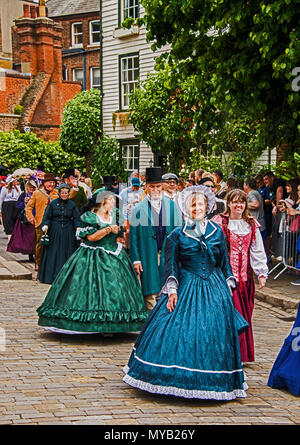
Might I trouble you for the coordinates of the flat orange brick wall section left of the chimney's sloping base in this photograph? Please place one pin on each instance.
(12, 89)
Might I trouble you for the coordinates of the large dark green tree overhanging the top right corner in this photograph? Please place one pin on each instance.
(243, 54)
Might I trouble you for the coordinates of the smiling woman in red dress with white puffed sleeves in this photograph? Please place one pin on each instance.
(247, 255)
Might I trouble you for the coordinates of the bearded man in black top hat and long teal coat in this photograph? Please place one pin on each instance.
(151, 221)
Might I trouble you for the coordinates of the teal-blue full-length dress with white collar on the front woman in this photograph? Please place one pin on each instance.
(194, 351)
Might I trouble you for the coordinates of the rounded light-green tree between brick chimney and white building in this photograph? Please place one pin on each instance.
(81, 125)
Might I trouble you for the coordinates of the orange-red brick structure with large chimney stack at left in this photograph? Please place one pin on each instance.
(38, 85)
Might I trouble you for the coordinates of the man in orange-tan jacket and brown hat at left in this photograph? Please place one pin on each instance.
(36, 207)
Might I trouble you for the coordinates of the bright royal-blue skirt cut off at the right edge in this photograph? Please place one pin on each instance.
(286, 369)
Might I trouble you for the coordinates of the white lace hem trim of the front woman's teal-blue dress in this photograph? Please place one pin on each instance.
(186, 393)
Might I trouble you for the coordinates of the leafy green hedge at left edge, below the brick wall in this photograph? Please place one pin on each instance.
(28, 150)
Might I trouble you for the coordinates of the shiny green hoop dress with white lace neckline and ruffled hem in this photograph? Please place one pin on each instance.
(97, 289)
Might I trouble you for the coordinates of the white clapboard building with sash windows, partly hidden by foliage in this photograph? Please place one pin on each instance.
(126, 57)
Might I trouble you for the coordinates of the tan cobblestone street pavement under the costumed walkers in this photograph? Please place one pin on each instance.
(49, 378)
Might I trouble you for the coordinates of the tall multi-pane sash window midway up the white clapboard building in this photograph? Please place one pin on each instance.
(129, 73)
